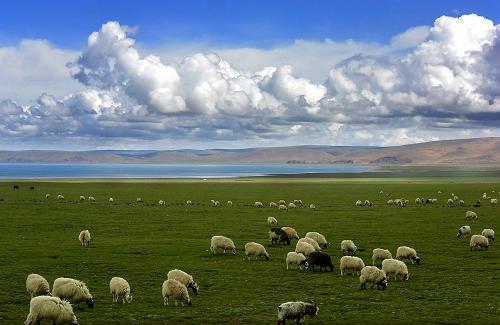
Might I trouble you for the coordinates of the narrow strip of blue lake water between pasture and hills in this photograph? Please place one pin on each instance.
(166, 171)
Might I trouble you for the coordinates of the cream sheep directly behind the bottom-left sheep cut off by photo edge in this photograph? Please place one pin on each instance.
(73, 290)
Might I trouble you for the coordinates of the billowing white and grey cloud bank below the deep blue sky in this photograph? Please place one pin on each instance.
(429, 83)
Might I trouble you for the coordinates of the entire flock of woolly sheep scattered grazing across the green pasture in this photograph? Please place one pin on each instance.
(56, 305)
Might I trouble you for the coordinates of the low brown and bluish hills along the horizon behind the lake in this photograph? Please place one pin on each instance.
(449, 152)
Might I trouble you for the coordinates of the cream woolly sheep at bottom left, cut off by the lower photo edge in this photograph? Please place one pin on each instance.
(50, 308)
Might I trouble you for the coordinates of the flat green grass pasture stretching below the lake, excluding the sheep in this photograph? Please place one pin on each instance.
(143, 242)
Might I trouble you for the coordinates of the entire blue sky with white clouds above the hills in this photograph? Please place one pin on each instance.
(78, 75)
